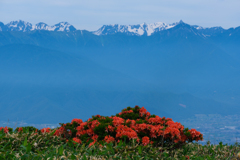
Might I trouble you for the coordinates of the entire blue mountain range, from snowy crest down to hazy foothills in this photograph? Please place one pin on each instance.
(175, 70)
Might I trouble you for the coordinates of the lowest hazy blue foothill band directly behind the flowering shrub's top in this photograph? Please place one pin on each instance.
(40, 104)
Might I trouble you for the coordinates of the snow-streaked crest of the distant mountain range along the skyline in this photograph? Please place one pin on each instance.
(139, 29)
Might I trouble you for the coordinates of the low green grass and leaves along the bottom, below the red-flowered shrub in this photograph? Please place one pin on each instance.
(46, 146)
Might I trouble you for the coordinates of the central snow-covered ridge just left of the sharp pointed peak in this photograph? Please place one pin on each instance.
(139, 29)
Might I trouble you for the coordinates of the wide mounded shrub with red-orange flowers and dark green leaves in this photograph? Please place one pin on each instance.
(130, 124)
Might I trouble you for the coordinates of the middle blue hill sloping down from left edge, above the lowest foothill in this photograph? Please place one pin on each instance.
(33, 65)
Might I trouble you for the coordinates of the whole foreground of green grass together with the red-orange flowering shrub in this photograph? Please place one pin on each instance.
(132, 134)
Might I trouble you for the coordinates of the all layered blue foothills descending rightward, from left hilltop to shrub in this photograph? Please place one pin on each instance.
(38, 82)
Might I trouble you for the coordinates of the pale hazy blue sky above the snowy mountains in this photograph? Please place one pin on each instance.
(92, 14)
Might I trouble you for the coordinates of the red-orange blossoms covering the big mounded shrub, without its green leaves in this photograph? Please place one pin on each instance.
(153, 128)
